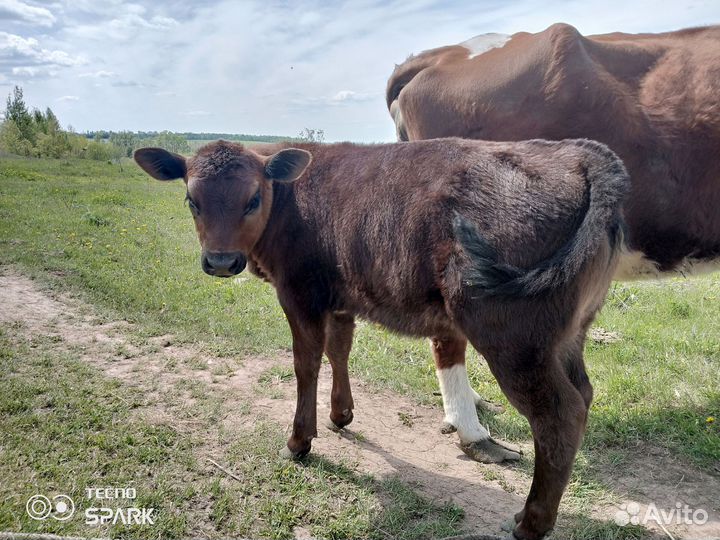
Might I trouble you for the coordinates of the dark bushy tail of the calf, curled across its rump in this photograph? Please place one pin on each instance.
(607, 182)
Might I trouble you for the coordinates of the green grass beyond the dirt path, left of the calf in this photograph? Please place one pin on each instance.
(128, 243)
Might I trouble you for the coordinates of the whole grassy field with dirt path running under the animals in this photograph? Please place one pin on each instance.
(124, 365)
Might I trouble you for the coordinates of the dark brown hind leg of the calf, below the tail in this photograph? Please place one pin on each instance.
(539, 386)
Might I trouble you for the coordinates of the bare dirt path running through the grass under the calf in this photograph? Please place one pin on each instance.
(391, 435)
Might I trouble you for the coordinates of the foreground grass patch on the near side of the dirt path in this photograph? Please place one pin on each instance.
(67, 427)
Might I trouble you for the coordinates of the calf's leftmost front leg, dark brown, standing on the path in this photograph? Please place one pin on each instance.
(308, 342)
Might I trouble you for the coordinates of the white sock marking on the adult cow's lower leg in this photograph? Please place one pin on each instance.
(459, 403)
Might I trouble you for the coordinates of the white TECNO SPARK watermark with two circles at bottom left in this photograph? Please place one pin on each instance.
(99, 511)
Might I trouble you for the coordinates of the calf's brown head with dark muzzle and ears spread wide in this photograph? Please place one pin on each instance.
(229, 192)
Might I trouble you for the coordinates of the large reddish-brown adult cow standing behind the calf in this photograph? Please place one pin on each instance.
(652, 98)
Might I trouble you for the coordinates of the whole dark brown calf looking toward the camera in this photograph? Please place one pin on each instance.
(448, 239)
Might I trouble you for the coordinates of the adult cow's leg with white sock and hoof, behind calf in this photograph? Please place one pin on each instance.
(459, 403)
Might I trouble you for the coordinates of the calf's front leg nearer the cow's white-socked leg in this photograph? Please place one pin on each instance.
(338, 342)
